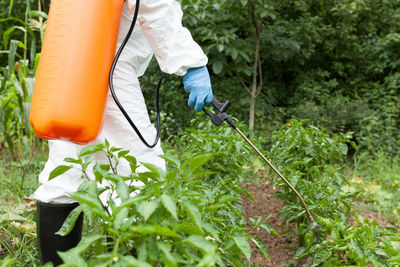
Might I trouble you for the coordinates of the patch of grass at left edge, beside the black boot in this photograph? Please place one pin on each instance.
(18, 181)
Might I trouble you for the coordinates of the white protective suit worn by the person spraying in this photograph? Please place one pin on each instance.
(158, 30)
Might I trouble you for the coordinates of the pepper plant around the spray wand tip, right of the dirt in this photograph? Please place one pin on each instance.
(309, 158)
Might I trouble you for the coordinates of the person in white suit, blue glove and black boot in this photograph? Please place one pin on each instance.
(159, 30)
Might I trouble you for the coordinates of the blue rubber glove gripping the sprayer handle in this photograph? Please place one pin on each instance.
(198, 84)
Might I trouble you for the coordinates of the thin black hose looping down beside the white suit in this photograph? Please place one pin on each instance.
(110, 80)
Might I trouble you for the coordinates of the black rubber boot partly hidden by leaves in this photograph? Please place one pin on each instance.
(50, 218)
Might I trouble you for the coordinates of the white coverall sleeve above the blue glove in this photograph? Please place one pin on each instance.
(172, 44)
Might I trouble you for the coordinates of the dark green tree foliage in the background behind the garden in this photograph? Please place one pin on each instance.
(333, 62)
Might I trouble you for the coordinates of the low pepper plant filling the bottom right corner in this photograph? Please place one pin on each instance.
(356, 245)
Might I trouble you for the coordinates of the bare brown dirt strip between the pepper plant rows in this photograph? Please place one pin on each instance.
(278, 247)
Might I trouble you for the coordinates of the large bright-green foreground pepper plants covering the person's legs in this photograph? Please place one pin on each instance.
(176, 217)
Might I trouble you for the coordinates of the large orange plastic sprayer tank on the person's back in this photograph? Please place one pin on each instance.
(72, 79)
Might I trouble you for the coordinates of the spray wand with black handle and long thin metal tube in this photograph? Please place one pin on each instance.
(221, 116)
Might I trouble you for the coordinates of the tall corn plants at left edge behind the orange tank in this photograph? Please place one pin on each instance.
(16, 85)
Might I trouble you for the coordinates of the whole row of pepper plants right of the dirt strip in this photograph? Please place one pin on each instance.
(309, 157)
